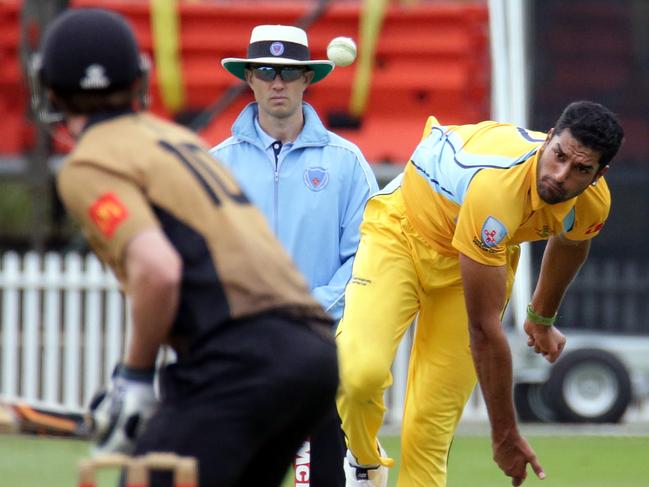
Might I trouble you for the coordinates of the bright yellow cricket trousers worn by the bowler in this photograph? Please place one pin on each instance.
(396, 277)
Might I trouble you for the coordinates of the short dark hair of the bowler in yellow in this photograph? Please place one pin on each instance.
(594, 126)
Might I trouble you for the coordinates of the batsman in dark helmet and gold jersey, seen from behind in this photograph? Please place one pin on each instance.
(201, 268)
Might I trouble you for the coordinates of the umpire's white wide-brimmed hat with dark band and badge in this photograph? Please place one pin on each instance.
(284, 45)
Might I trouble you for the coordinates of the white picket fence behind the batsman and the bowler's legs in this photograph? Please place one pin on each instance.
(63, 328)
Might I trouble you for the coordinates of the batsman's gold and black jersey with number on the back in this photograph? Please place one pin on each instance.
(135, 171)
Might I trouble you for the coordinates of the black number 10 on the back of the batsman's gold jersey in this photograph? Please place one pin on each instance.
(206, 170)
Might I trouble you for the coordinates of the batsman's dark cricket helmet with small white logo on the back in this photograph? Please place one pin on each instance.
(87, 50)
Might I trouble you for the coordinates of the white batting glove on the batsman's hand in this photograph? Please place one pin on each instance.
(120, 413)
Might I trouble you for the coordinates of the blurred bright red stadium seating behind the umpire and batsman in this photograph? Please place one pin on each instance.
(431, 58)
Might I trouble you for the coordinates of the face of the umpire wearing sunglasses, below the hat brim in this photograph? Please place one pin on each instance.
(278, 98)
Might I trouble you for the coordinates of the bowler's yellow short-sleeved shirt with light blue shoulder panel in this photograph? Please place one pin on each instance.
(472, 189)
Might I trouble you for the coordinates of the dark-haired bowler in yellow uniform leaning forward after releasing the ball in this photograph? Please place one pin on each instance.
(440, 244)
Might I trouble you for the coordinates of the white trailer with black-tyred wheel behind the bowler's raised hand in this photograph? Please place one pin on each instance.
(596, 379)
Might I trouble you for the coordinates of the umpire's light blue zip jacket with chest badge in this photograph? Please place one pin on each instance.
(313, 198)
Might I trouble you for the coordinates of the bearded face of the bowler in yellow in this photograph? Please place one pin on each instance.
(565, 168)
